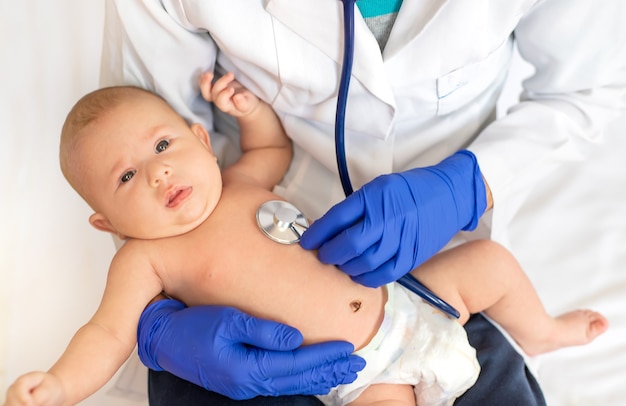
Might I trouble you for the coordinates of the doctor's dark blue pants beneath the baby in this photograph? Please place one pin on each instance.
(504, 379)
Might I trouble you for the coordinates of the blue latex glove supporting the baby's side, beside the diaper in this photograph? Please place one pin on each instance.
(237, 355)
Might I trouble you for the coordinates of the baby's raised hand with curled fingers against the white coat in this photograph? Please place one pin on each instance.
(228, 94)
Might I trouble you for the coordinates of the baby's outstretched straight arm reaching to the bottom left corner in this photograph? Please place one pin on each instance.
(99, 348)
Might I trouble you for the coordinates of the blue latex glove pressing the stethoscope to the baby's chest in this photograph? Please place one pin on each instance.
(398, 221)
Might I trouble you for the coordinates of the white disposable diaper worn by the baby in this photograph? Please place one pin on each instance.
(415, 345)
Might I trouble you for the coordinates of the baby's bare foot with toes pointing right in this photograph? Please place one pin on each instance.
(574, 328)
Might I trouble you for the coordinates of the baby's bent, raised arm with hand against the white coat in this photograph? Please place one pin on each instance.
(266, 148)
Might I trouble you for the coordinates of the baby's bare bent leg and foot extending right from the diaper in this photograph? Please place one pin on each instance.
(481, 276)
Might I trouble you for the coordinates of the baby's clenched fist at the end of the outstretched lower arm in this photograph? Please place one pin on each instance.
(35, 388)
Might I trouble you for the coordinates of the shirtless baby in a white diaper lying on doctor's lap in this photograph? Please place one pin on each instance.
(191, 232)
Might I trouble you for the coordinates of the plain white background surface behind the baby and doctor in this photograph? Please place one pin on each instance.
(53, 264)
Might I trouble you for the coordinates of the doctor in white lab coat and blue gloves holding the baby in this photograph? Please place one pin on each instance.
(425, 81)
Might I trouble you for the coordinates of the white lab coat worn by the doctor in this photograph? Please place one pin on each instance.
(431, 92)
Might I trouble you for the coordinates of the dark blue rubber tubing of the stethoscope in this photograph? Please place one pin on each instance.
(408, 281)
